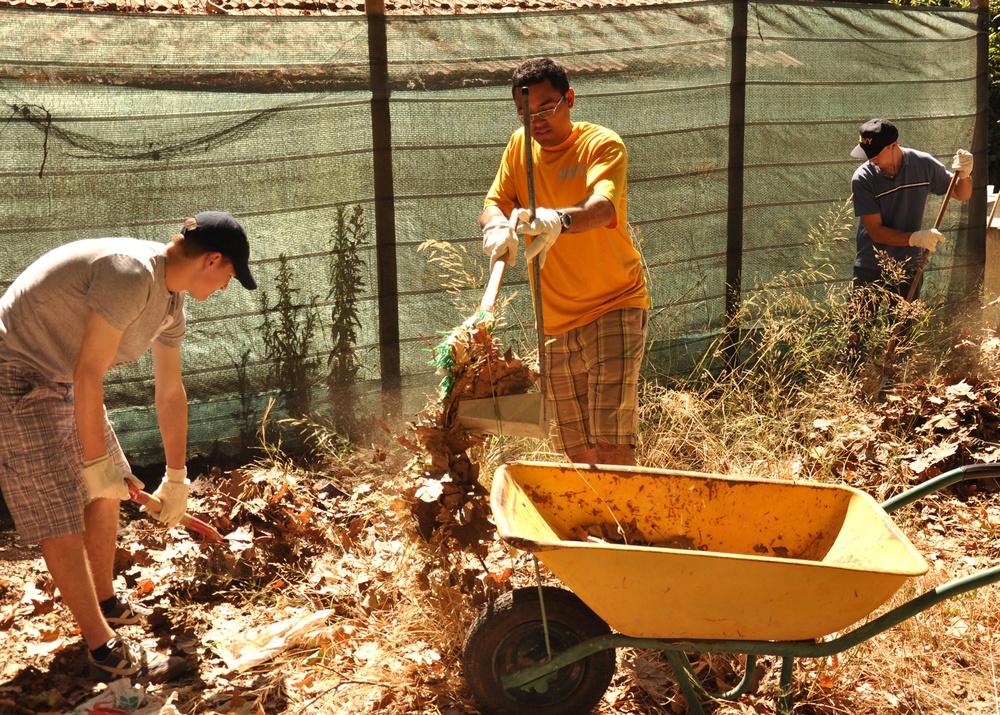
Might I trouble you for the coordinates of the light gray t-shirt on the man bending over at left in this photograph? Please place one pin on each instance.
(45, 310)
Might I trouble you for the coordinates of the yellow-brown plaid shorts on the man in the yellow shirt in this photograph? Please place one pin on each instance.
(593, 380)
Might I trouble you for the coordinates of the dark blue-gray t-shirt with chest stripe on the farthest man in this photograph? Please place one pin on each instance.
(900, 201)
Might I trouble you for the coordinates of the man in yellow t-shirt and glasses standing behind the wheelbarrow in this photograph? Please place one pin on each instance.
(594, 299)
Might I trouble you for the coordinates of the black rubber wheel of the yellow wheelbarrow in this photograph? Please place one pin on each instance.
(508, 636)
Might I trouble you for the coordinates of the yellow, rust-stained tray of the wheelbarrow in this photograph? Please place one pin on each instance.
(719, 557)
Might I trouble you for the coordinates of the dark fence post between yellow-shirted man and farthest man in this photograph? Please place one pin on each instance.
(737, 138)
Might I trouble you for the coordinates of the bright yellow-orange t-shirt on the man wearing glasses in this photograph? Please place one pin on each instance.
(586, 274)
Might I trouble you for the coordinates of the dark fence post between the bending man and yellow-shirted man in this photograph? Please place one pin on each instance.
(385, 214)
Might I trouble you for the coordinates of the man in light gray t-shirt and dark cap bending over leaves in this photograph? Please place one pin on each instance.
(75, 313)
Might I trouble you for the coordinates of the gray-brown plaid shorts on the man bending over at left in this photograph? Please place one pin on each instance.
(41, 455)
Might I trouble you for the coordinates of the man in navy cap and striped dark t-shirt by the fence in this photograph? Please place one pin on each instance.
(890, 194)
